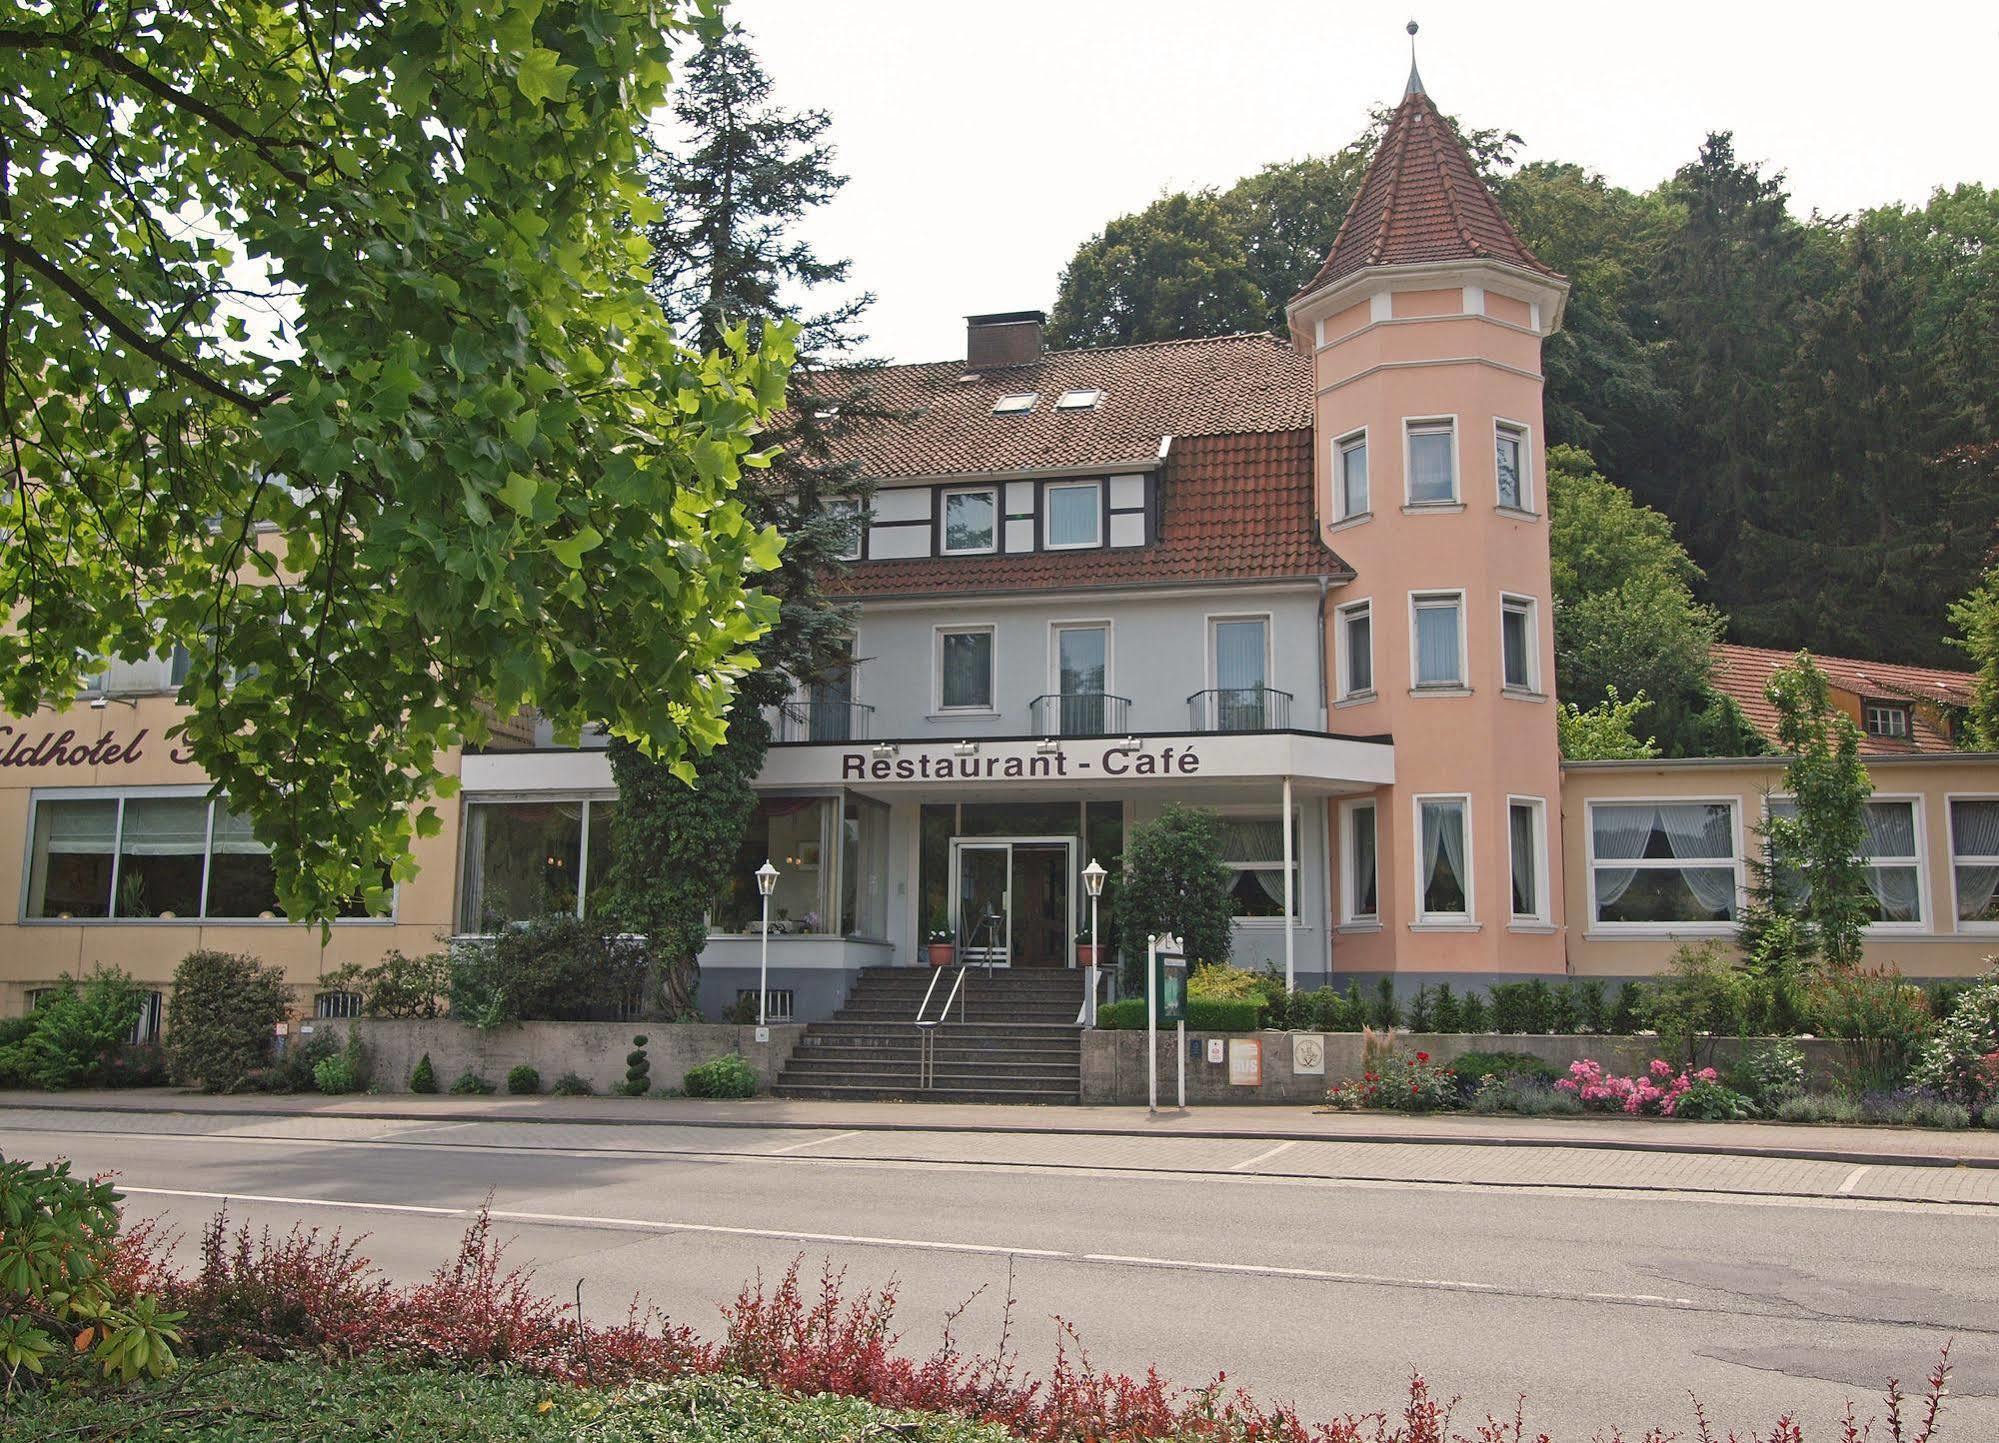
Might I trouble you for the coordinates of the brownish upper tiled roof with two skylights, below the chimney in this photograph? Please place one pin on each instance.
(1206, 387)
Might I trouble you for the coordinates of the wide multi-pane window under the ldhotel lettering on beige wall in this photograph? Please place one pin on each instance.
(149, 856)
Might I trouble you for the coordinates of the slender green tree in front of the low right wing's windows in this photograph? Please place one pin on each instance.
(1824, 838)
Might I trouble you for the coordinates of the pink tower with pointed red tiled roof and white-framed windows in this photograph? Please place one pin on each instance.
(1426, 331)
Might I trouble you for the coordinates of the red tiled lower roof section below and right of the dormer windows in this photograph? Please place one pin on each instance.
(1234, 509)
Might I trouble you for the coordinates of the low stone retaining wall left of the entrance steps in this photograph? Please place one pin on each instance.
(595, 1050)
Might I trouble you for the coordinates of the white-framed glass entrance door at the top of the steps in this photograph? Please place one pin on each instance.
(1014, 900)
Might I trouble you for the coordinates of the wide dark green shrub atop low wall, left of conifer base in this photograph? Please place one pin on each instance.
(559, 968)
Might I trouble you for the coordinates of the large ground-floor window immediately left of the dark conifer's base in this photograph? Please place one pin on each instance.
(535, 858)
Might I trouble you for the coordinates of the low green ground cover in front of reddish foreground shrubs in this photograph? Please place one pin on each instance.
(251, 1402)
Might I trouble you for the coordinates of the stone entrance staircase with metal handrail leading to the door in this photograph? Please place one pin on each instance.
(1010, 1038)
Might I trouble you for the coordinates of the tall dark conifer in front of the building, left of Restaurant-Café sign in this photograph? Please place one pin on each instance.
(727, 251)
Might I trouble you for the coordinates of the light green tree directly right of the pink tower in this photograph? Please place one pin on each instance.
(1626, 619)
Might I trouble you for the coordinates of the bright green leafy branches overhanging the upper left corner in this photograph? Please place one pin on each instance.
(327, 351)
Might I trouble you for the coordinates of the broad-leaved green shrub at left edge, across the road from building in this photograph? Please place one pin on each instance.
(61, 1314)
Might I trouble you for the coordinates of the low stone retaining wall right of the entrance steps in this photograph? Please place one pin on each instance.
(1114, 1062)
